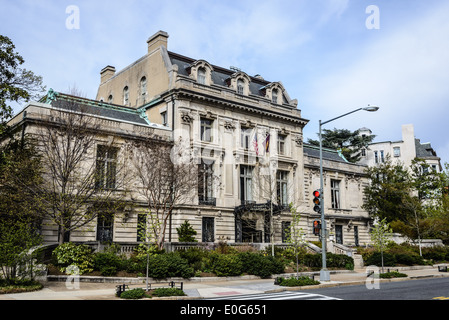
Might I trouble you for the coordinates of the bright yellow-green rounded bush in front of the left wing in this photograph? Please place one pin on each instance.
(68, 254)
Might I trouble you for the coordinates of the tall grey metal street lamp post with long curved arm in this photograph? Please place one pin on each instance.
(324, 273)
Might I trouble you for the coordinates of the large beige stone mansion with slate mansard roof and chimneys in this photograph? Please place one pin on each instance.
(242, 128)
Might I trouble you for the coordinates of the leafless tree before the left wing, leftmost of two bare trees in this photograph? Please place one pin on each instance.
(82, 178)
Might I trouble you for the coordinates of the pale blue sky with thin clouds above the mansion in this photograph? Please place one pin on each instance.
(321, 50)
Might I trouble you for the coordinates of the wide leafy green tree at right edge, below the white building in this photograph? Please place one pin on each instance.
(411, 200)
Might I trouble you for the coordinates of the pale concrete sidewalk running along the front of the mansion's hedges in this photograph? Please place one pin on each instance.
(199, 288)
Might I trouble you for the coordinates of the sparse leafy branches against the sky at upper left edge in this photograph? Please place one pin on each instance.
(16, 84)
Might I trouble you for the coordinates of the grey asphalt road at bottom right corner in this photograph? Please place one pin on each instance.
(425, 289)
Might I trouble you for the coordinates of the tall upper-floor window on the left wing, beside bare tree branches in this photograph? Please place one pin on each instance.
(106, 167)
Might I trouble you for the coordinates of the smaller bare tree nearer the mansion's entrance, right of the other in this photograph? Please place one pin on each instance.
(166, 176)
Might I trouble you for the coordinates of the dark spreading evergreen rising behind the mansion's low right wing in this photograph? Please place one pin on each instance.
(350, 143)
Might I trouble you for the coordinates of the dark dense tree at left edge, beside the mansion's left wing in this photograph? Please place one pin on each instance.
(19, 208)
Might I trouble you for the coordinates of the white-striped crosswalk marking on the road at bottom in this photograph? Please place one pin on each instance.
(284, 295)
